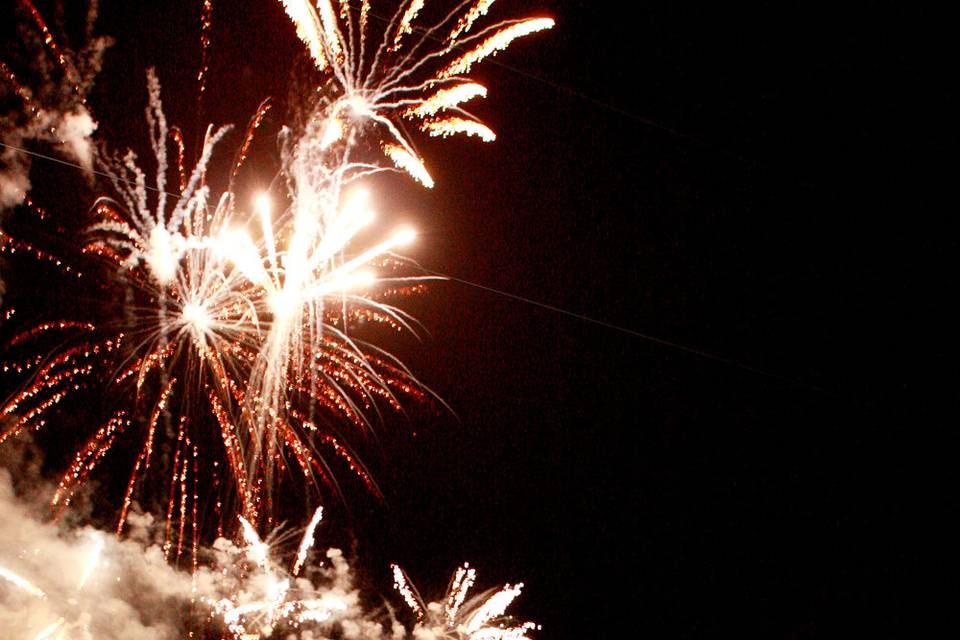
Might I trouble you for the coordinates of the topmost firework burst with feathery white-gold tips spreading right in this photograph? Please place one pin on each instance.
(412, 73)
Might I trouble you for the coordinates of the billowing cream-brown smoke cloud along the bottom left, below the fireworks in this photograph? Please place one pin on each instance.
(133, 593)
